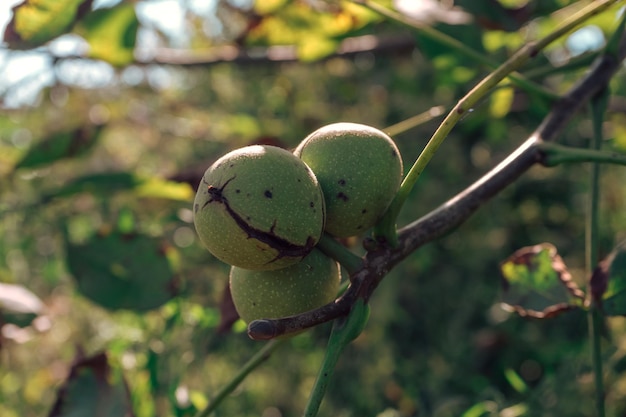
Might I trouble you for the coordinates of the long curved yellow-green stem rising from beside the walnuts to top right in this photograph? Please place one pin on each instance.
(387, 226)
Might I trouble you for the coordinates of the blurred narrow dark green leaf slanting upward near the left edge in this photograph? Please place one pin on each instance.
(61, 145)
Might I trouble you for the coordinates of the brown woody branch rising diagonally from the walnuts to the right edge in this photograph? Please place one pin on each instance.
(377, 263)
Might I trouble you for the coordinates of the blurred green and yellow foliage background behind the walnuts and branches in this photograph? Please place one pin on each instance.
(110, 113)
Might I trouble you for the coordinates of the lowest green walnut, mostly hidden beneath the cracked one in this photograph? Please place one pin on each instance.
(311, 283)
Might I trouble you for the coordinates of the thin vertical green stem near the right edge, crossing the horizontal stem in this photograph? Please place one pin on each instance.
(595, 319)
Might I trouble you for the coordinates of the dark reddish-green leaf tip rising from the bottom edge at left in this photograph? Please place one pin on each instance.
(93, 388)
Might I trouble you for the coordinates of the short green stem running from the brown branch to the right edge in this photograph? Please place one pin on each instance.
(555, 154)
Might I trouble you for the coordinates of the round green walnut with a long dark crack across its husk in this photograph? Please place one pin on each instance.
(259, 207)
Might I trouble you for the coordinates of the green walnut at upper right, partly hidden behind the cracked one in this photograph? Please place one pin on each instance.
(359, 169)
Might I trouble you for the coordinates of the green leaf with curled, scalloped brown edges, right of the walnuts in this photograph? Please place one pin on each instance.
(537, 283)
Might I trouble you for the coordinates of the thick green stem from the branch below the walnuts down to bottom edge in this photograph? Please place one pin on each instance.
(345, 330)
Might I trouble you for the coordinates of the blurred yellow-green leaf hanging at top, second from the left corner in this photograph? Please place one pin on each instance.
(111, 34)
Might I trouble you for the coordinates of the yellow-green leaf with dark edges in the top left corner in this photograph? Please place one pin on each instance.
(36, 22)
